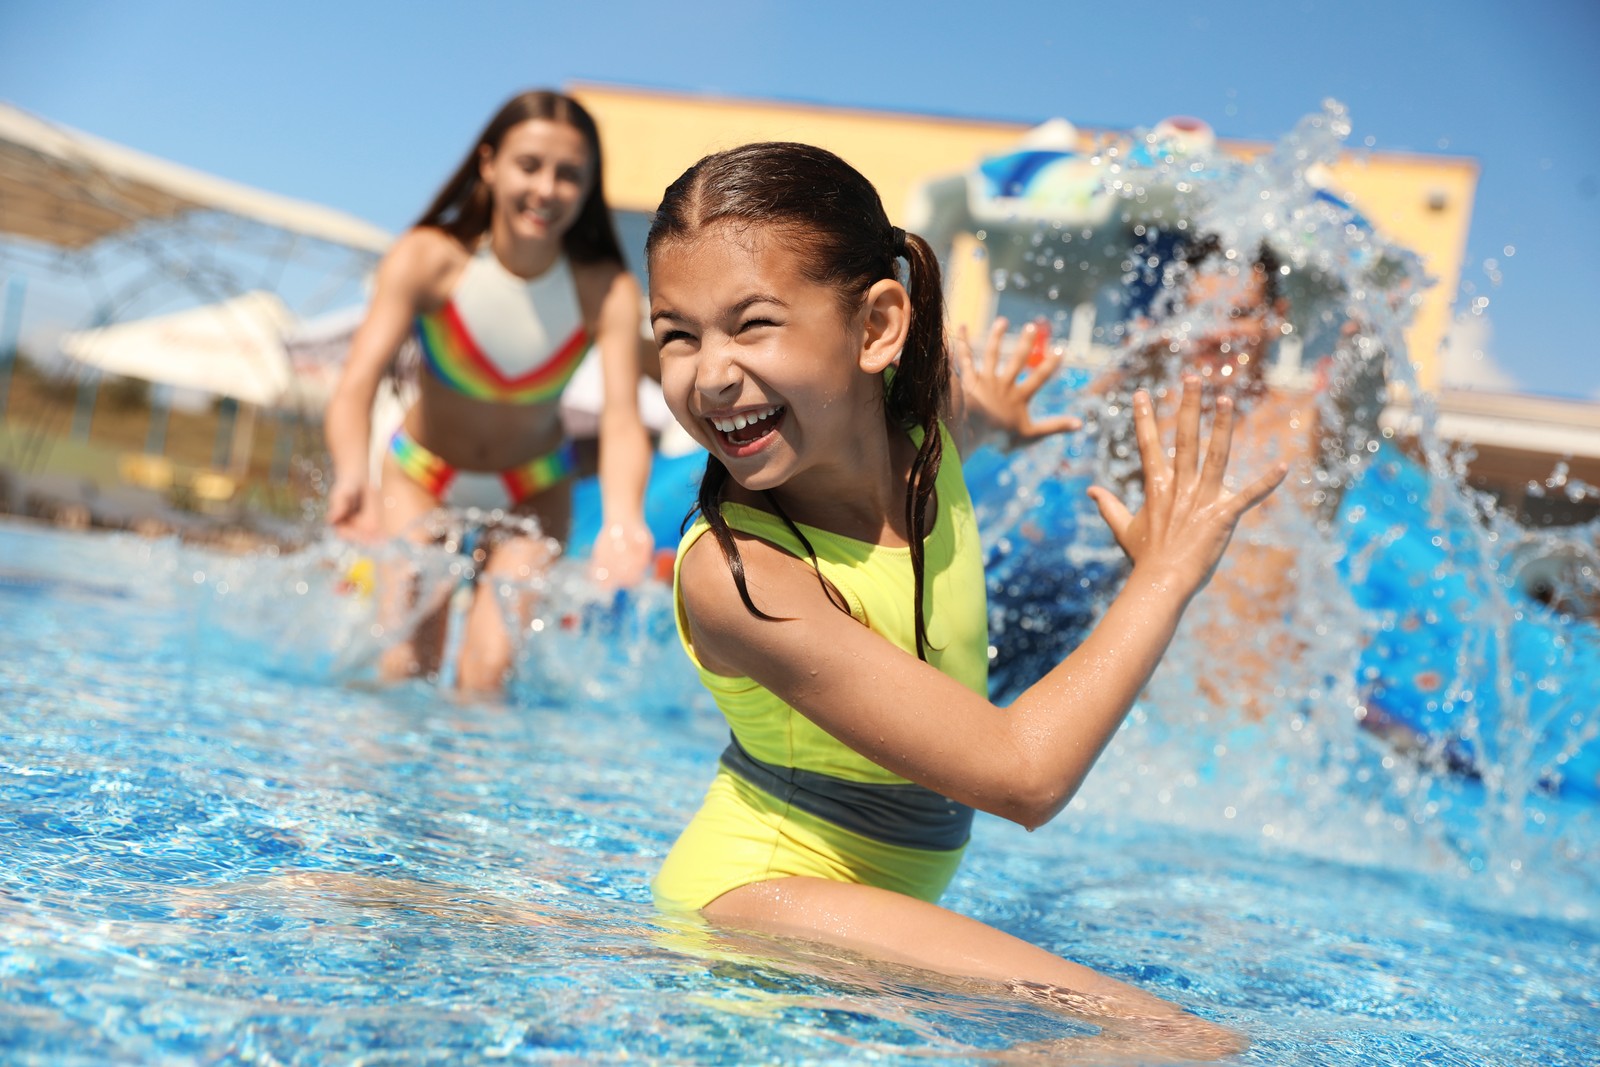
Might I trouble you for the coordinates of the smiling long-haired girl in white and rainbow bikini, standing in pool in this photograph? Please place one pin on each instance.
(510, 278)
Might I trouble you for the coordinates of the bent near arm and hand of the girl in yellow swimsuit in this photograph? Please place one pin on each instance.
(1023, 762)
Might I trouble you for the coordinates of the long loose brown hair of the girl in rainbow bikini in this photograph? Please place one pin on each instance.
(463, 207)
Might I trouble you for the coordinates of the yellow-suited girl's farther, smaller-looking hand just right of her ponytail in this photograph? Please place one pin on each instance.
(994, 398)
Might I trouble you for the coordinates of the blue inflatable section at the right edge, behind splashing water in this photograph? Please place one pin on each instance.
(1460, 669)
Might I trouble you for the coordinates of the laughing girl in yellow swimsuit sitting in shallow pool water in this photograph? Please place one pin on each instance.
(836, 610)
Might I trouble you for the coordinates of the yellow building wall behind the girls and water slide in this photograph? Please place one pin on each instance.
(1420, 202)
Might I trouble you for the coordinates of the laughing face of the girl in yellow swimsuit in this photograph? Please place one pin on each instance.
(758, 362)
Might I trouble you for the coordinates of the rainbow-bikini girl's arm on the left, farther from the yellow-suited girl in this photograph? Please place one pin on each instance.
(406, 276)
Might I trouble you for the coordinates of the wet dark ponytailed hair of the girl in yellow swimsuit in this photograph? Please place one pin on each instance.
(833, 217)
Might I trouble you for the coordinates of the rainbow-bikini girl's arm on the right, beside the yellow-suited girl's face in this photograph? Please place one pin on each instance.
(625, 546)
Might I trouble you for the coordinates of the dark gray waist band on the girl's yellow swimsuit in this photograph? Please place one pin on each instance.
(905, 815)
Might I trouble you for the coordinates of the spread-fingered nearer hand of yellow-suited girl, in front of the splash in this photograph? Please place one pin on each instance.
(1188, 516)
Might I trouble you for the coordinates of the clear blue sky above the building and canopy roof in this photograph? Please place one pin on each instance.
(366, 106)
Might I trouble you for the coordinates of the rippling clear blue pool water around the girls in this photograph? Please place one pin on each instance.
(222, 849)
